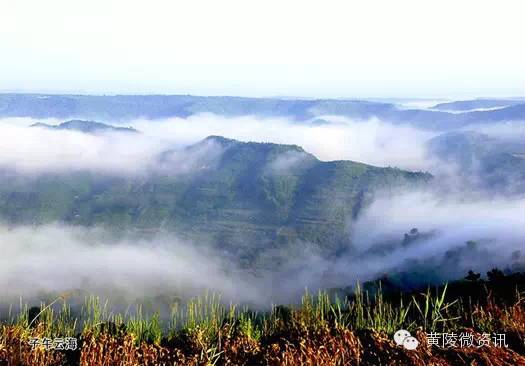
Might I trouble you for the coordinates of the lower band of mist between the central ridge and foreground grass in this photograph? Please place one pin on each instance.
(56, 258)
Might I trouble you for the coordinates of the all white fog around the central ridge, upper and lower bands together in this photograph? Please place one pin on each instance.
(56, 258)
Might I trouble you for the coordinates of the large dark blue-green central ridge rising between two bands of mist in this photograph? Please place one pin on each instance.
(247, 198)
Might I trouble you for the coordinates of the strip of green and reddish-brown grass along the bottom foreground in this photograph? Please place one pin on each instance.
(320, 331)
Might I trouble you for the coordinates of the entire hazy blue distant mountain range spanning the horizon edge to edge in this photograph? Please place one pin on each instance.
(121, 108)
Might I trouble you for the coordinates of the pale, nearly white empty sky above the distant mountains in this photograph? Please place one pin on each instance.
(403, 48)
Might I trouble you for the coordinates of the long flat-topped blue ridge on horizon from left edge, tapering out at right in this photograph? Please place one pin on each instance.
(125, 107)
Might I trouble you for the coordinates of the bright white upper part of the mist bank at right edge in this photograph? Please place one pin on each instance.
(467, 219)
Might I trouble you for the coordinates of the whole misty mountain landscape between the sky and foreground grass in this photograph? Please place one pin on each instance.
(254, 198)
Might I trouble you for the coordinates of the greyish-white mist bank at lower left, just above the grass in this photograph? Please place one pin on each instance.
(56, 259)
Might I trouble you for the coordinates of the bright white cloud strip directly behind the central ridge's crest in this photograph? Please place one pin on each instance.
(373, 141)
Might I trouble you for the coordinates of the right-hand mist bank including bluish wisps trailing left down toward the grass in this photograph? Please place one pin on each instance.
(454, 236)
